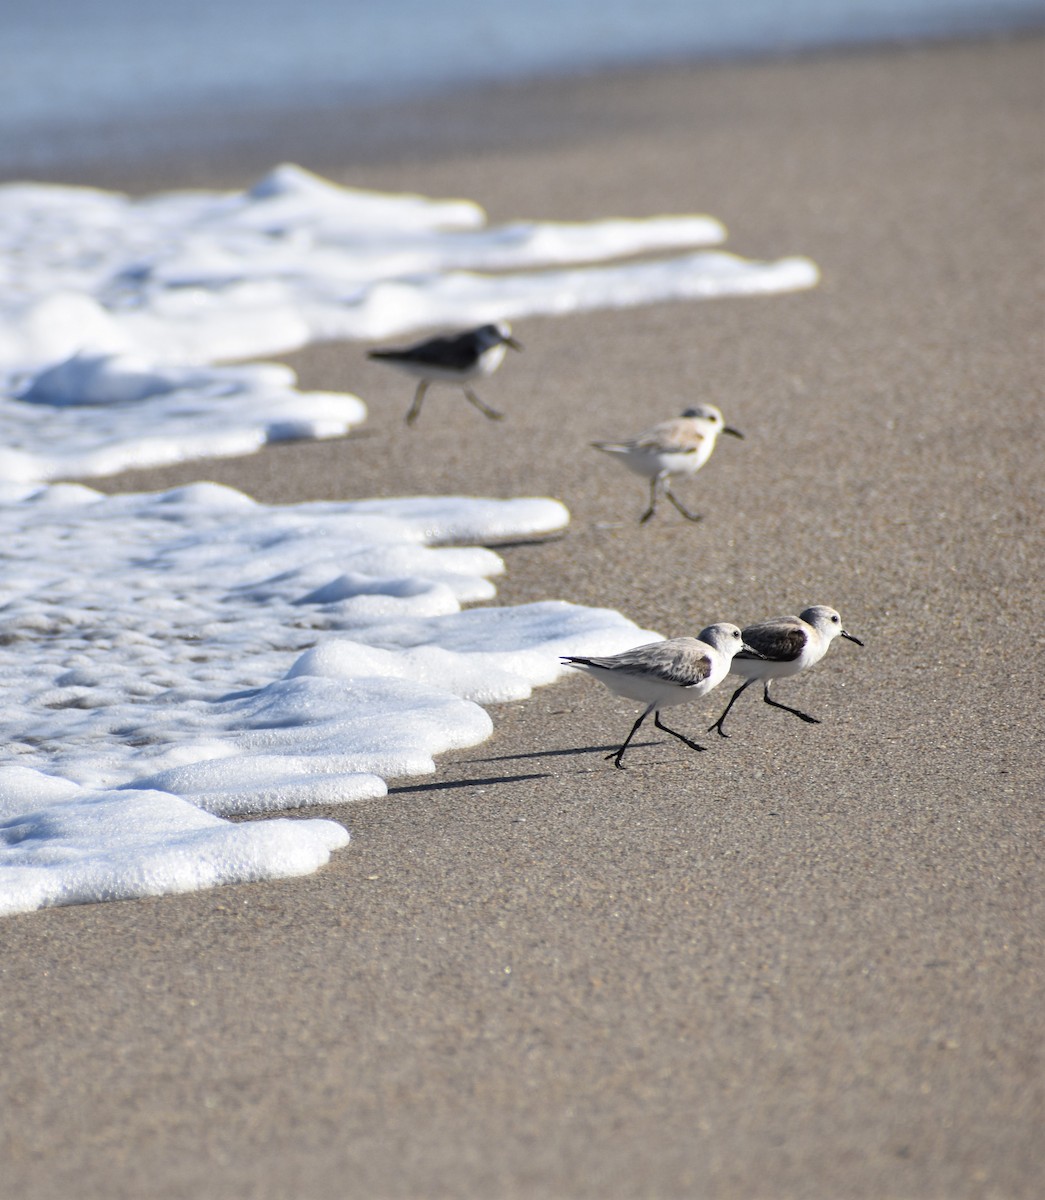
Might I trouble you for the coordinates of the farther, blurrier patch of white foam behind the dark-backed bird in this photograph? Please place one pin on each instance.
(115, 311)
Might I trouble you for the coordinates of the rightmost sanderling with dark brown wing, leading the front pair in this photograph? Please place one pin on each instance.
(786, 646)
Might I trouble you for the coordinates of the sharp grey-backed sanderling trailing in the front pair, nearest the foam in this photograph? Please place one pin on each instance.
(666, 674)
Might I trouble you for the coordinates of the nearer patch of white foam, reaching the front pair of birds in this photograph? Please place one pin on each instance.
(172, 659)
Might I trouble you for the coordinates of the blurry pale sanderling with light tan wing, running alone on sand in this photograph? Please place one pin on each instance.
(680, 447)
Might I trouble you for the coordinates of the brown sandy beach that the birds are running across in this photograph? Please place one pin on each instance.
(808, 963)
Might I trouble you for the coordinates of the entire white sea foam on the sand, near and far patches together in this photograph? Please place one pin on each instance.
(169, 662)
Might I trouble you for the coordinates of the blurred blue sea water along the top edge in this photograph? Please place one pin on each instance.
(69, 69)
